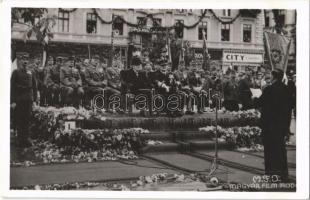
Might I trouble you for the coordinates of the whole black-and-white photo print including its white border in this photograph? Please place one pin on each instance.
(154, 99)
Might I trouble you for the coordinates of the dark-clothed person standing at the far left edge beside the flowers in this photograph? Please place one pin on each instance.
(23, 95)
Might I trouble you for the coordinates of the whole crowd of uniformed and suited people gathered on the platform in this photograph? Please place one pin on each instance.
(71, 82)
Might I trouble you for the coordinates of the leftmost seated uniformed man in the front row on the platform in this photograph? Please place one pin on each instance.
(52, 81)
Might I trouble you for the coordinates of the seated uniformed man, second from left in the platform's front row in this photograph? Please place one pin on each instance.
(71, 84)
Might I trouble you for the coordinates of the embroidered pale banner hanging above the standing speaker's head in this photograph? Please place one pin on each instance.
(277, 47)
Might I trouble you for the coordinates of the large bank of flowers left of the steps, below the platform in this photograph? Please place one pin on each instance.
(81, 145)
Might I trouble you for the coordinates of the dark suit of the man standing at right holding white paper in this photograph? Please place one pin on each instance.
(275, 116)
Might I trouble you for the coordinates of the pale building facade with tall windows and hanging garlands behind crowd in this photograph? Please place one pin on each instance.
(233, 39)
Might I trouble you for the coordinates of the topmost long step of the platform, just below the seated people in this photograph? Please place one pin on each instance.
(187, 122)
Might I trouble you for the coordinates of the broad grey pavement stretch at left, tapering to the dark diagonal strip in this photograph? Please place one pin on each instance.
(80, 172)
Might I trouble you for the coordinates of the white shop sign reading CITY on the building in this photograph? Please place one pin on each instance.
(242, 57)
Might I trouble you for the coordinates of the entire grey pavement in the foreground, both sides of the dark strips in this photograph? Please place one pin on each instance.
(121, 171)
